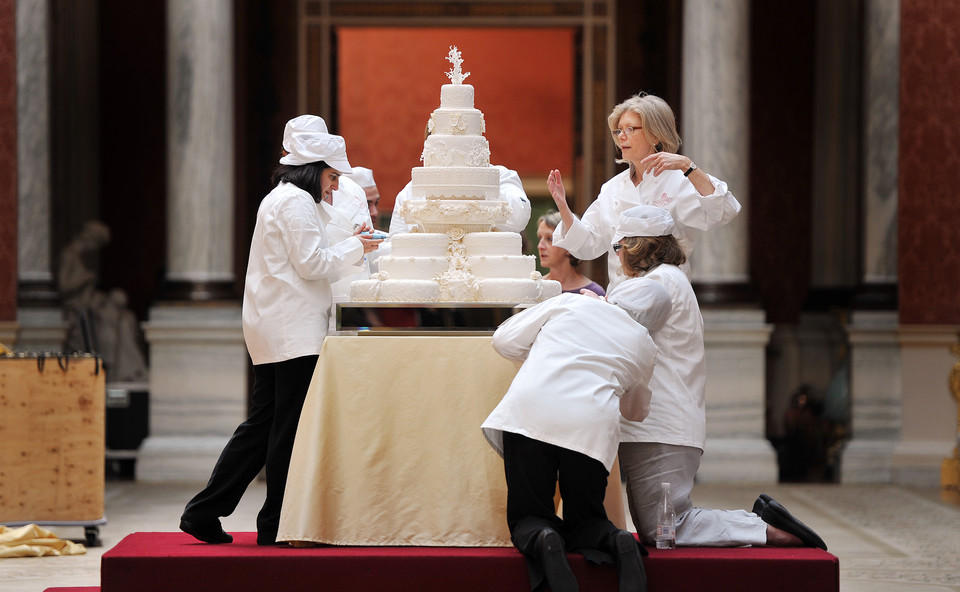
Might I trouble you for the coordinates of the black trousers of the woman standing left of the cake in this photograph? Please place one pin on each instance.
(264, 439)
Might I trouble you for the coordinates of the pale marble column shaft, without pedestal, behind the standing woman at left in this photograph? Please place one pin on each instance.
(200, 147)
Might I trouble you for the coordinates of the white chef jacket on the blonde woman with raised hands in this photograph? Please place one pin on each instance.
(592, 235)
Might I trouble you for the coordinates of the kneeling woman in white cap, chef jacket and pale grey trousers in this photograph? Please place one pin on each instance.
(668, 444)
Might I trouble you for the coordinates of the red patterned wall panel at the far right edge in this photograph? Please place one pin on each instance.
(929, 206)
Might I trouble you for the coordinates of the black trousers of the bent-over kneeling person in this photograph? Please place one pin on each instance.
(532, 469)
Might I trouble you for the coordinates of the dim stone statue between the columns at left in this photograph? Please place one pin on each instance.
(99, 321)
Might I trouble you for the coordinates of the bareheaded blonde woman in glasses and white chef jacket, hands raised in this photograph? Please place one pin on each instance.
(644, 131)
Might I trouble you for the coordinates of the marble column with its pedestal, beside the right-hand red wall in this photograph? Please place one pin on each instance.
(876, 381)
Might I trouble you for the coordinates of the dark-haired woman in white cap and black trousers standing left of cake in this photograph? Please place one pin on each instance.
(286, 303)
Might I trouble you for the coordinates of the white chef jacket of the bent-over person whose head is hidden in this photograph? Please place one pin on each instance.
(584, 362)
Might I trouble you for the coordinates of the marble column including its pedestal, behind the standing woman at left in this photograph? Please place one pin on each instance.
(198, 362)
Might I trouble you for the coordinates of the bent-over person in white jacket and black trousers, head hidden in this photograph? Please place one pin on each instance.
(585, 362)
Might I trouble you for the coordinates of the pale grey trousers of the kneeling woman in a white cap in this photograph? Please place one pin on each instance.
(645, 465)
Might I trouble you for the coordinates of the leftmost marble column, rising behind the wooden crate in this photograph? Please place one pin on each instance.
(41, 321)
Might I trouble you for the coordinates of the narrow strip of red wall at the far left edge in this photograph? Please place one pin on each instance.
(8, 160)
